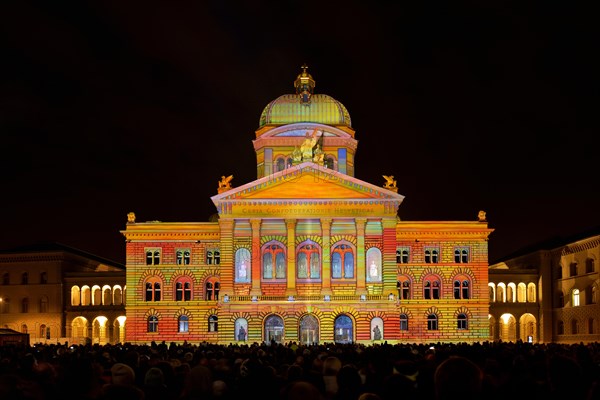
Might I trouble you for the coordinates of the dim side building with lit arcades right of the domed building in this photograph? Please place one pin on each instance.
(548, 292)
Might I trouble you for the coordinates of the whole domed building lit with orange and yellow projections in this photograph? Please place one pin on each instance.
(307, 252)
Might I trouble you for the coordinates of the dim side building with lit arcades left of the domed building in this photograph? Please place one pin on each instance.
(56, 293)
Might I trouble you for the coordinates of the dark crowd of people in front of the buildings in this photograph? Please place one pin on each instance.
(439, 371)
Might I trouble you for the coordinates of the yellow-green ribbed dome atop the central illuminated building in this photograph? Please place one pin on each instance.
(289, 109)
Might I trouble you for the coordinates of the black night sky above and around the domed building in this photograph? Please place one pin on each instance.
(116, 106)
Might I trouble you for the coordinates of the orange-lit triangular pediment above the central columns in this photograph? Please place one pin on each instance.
(307, 190)
